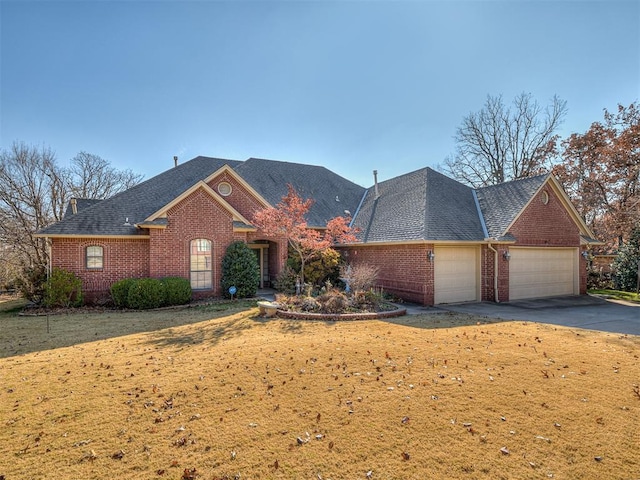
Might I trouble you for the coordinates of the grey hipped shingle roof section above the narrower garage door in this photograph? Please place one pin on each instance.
(421, 205)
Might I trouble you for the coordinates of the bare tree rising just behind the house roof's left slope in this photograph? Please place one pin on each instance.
(91, 176)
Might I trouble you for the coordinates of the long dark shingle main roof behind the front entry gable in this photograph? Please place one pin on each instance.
(119, 214)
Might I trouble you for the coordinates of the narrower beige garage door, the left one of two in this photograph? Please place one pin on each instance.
(456, 274)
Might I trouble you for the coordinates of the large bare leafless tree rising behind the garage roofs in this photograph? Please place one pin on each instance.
(499, 144)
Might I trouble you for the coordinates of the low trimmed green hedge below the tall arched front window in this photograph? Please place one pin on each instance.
(146, 293)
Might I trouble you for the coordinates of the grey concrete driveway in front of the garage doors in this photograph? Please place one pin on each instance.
(583, 311)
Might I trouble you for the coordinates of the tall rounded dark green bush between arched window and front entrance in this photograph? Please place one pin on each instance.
(240, 269)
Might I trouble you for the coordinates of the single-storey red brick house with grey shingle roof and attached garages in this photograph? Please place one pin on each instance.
(434, 239)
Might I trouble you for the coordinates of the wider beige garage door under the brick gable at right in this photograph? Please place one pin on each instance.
(542, 272)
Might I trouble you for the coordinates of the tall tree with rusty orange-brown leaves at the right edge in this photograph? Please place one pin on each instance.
(601, 174)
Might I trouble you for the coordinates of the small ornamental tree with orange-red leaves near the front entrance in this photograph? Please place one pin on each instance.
(288, 219)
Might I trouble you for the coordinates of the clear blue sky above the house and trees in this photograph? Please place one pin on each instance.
(349, 85)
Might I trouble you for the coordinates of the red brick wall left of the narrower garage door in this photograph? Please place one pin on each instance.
(404, 269)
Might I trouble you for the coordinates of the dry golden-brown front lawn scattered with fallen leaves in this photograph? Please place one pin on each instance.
(241, 397)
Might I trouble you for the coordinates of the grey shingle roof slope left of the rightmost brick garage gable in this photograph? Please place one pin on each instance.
(500, 204)
